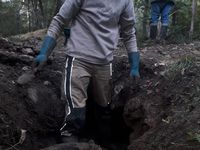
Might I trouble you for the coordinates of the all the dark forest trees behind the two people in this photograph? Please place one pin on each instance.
(21, 16)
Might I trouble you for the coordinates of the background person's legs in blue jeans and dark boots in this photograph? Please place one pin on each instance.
(160, 9)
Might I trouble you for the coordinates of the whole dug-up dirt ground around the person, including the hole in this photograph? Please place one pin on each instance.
(160, 112)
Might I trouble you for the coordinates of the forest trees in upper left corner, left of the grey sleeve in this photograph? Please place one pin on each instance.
(21, 16)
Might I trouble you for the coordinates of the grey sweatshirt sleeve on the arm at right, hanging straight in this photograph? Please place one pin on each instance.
(127, 23)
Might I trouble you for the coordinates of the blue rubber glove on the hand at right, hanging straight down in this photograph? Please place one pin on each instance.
(134, 58)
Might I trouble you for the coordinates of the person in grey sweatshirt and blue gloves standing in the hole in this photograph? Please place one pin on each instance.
(94, 34)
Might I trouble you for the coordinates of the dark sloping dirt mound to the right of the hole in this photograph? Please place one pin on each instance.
(172, 114)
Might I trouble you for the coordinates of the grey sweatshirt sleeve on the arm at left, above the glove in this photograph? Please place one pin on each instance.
(67, 12)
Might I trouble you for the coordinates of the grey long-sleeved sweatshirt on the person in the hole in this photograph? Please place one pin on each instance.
(95, 28)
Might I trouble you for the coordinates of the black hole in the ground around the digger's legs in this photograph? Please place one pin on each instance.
(117, 135)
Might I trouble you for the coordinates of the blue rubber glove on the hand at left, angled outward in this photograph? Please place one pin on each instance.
(48, 45)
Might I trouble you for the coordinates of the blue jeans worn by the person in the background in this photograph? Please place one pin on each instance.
(160, 9)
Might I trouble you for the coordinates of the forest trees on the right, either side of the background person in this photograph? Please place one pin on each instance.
(184, 25)
